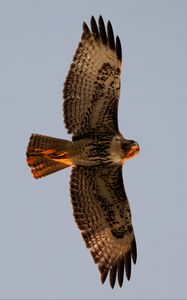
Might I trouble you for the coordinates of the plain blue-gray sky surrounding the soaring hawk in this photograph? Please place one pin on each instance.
(42, 254)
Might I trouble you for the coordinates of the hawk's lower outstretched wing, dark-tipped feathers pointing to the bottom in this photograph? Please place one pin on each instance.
(102, 213)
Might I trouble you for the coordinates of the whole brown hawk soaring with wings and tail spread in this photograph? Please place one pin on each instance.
(96, 153)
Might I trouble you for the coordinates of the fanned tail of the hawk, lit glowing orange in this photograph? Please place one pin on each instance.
(46, 155)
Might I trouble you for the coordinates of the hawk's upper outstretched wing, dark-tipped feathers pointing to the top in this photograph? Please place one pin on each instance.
(92, 87)
